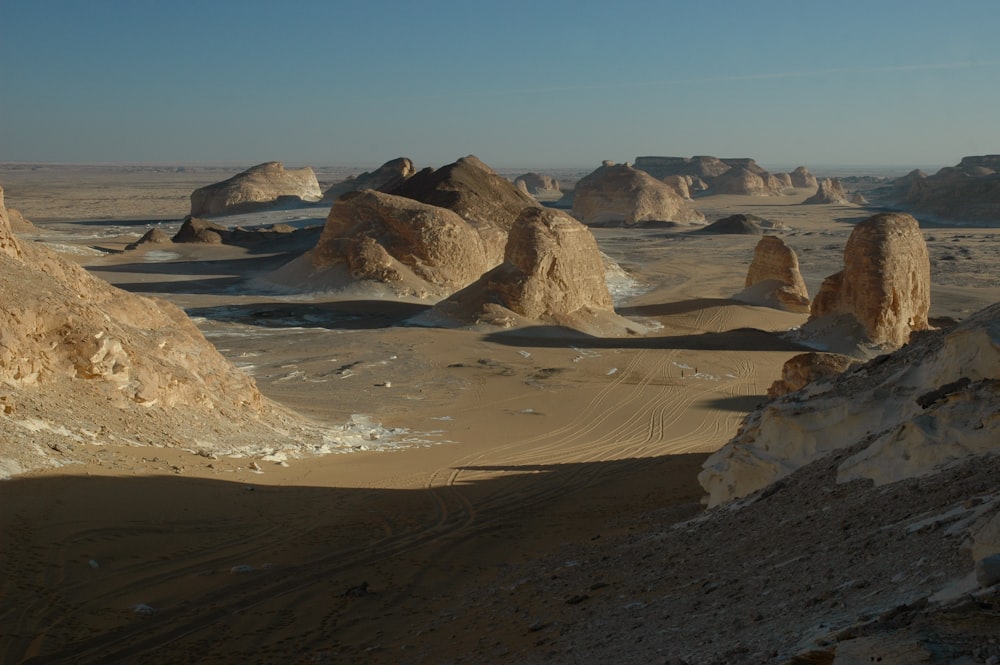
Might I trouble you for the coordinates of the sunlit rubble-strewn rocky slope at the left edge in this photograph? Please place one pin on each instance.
(83, 362)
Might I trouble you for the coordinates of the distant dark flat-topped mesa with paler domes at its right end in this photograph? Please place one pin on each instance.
(741, 176)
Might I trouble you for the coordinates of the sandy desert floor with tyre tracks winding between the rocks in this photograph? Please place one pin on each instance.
(504, 446)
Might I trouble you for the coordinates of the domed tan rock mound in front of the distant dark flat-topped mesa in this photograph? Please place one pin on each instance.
(620, 194)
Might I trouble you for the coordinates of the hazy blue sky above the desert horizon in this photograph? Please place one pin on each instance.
(543, 83)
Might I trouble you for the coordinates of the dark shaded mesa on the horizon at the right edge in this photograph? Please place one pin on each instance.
(969, 191)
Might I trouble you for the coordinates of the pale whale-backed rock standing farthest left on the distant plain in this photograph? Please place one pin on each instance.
(257, 188)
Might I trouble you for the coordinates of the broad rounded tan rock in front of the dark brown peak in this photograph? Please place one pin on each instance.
(402, 246)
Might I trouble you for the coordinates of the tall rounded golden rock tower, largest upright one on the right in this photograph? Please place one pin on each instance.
(883, 292)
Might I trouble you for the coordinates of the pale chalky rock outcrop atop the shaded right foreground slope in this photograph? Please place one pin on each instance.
(907, 414)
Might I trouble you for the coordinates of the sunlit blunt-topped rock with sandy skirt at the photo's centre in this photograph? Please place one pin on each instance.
(553, 272)
